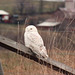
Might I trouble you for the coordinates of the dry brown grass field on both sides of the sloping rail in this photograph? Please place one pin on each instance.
(59, 48)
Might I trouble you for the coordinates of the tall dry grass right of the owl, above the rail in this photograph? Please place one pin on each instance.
(60, 46)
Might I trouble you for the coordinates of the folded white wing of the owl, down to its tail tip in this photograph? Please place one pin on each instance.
(36, 43)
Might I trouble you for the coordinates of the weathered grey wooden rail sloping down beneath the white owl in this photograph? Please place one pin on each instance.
(22, 50)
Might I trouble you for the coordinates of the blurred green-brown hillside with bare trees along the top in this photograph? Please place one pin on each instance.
(25, 6)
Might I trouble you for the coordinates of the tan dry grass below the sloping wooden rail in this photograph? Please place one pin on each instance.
(14, 64)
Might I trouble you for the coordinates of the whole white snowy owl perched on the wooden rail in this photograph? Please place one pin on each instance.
(34, 41)
